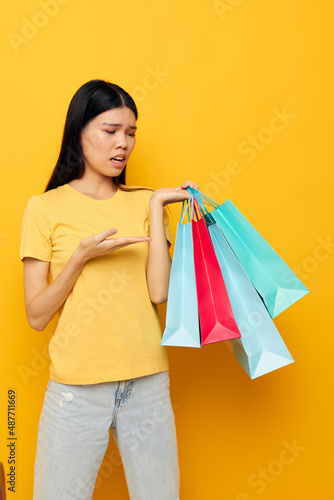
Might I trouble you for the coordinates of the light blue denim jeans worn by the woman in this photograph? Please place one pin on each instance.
(73, 437)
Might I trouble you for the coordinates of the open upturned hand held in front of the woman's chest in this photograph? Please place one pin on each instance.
(102, 244)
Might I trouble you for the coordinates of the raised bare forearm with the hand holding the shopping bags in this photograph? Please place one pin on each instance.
(159, 261)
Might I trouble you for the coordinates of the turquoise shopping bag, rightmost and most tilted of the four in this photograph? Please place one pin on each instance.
(277, 284)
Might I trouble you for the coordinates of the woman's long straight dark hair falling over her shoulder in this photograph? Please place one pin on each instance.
(91, 99)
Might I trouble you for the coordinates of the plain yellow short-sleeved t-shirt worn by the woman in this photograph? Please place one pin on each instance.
(108, 329)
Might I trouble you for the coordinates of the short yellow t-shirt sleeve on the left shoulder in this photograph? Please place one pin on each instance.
(35, 237)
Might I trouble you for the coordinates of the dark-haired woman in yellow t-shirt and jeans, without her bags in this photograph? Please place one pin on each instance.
(108, 368)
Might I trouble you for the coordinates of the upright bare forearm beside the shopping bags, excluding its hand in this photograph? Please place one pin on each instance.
(159, 261)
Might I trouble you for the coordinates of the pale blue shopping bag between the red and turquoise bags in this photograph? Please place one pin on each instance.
(260, 349)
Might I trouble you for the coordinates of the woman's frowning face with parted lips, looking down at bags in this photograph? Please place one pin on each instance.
(108, 136)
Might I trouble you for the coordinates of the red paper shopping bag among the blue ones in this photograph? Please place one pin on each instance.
(215, 312)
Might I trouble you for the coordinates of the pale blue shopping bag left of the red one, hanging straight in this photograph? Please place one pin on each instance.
(182, 323)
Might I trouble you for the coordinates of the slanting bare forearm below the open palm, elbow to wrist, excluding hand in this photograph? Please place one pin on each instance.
(46, 304)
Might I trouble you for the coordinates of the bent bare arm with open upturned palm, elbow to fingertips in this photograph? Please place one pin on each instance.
(42, 301)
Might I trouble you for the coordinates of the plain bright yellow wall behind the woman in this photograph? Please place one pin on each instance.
(209, 78)
